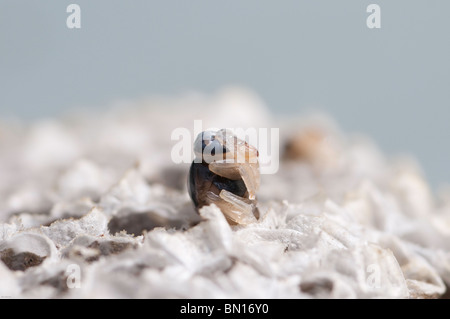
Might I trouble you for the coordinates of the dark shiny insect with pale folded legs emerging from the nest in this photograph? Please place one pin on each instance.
(225, 172)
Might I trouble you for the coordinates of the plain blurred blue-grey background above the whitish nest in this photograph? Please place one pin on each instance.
(390, 83)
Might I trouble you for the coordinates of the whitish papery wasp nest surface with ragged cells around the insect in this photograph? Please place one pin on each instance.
(94, 205)
